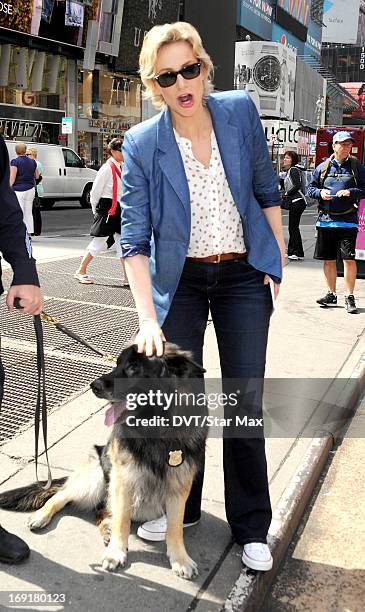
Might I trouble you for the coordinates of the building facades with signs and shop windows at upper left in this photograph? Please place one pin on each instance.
(75, 59)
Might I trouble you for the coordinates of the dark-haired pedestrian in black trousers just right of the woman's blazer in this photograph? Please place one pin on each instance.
(293, 194)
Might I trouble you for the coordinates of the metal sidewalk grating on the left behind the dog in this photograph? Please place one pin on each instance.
(107, 328)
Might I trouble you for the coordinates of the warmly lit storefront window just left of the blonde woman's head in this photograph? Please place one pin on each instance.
(109, 104)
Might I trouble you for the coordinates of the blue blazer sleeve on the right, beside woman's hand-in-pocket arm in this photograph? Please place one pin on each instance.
(265, 182)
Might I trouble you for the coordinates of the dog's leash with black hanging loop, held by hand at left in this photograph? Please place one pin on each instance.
(41, 405)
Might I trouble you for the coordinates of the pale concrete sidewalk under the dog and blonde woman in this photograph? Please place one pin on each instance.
(323, 348)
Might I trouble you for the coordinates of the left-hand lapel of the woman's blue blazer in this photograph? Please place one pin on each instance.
(171, 162)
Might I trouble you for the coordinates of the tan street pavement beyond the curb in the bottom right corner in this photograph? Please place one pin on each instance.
(324, 570)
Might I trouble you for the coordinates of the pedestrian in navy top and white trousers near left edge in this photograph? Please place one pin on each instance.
(23, 174)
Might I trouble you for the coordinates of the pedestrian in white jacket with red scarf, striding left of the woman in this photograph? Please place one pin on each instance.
(105, 203)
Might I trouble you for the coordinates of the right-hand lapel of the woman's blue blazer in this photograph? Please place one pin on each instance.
(227, 136)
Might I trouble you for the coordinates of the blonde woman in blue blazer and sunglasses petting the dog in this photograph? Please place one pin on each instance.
(201, 229)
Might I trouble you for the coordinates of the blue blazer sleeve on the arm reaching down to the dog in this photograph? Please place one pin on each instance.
(136, 229)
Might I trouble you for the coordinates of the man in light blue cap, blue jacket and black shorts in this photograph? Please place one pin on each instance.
(338, 184)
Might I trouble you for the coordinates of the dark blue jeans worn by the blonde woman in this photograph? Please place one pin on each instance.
(240, 306)
